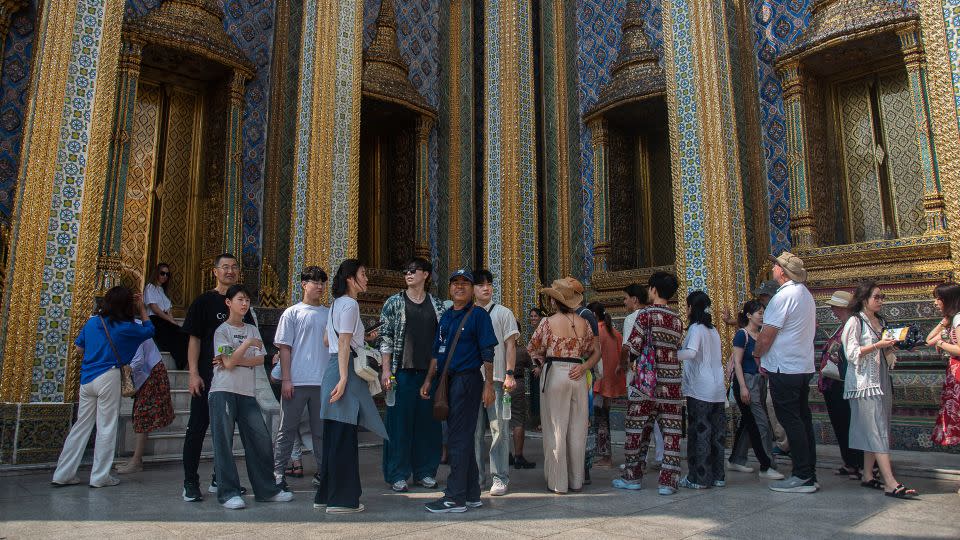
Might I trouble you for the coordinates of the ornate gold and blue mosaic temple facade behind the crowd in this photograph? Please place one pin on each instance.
(604, 139)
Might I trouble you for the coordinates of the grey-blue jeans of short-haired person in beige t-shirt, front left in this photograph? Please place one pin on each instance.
(226, 411)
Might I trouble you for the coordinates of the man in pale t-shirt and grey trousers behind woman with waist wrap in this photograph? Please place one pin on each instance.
(303, 360)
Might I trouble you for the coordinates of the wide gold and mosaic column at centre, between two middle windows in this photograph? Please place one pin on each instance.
(510, 156)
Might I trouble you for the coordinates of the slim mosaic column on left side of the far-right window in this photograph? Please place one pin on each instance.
(801, 219)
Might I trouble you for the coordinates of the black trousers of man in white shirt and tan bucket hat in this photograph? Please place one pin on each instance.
(790, 393)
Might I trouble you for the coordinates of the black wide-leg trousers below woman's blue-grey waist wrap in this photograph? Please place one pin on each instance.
(340, 466)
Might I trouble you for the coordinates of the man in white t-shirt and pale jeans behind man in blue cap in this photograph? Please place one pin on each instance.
(504, 358)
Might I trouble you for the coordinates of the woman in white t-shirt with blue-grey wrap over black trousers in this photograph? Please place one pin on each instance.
(350, 404)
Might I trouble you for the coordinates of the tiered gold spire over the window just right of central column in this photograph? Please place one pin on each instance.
(636, 75)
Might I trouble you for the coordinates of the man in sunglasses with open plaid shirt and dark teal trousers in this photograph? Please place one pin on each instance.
(409, 323)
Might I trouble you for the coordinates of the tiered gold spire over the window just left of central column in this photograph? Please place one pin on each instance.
(385, 74)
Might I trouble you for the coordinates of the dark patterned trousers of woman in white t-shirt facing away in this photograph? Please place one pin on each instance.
(706, 434)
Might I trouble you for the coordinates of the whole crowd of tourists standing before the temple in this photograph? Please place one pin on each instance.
(451, 371)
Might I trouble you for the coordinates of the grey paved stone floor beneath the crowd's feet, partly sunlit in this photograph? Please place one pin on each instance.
(148, 505)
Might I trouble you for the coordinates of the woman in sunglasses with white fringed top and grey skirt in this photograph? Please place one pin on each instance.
(868, 387)
